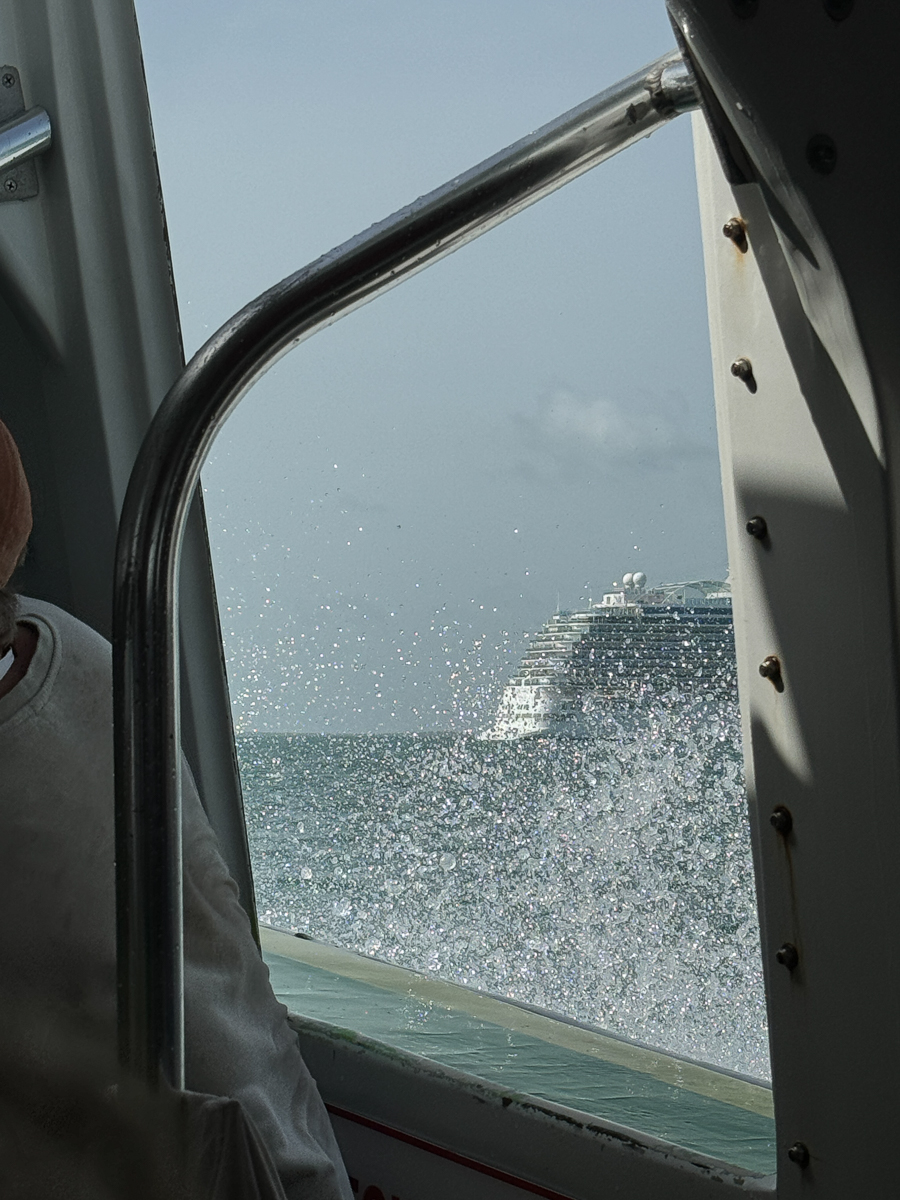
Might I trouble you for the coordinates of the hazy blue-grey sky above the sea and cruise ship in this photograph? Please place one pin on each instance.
(415, 490)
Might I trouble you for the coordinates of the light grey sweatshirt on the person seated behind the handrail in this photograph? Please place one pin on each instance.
(57, 895)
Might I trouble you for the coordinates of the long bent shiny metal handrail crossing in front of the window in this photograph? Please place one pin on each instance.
(148, 775)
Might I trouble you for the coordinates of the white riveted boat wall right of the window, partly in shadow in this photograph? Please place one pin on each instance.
(809, 443)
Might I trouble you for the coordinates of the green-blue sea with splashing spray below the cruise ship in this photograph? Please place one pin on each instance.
(607, 878)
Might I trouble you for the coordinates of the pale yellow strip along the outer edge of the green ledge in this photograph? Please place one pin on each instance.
(693, 1078)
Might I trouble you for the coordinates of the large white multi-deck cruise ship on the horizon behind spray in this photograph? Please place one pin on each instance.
(637, 641)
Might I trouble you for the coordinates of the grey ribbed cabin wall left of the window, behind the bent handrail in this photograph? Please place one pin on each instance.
(91, 343)
